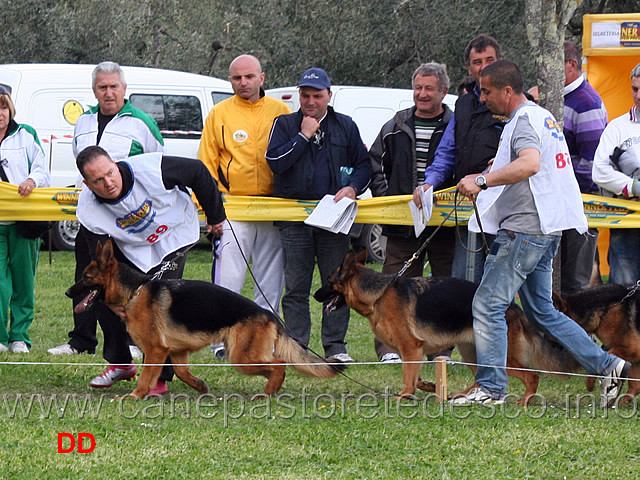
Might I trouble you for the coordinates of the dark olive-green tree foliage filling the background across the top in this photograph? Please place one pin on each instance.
(358, 42)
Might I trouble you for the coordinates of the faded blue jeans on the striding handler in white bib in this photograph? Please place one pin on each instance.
(520, 262)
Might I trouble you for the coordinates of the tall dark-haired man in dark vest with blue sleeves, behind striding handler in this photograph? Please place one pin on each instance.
(468, 144)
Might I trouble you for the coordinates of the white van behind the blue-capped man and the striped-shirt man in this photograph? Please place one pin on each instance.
(370, 107)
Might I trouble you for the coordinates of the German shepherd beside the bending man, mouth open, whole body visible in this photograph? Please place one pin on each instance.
(177, 317)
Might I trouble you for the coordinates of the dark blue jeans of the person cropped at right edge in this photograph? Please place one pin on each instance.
(624, 255)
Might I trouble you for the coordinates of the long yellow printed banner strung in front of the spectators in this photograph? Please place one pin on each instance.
(60, 204)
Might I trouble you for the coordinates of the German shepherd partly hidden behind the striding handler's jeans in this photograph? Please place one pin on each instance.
(421, 316)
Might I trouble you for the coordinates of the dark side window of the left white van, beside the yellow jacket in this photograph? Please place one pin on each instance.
(178, 116)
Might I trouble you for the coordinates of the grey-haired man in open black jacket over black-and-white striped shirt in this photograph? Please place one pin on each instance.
(403, 150)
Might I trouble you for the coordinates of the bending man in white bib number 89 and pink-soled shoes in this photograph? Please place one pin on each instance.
(144, 206)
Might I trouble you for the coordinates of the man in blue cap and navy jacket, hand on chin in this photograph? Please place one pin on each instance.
(315, 152)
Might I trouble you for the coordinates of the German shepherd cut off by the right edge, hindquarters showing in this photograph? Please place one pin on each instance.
(608, 313)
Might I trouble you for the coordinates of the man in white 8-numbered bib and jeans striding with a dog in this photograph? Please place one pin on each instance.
(529, 196)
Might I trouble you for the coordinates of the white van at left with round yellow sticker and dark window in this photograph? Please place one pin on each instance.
(51, 97)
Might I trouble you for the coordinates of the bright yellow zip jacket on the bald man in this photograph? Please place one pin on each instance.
(234, 141)
